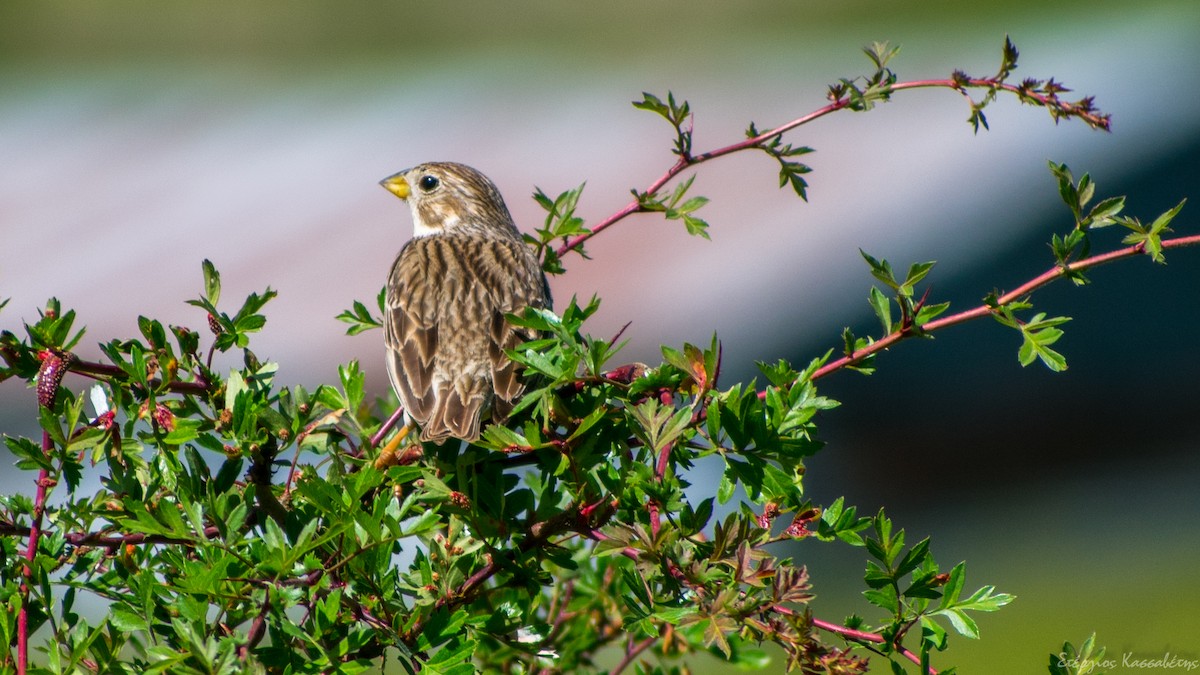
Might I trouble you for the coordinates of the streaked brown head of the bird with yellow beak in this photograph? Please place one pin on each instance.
(451, 198)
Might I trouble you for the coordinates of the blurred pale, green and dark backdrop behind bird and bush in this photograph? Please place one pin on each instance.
(139, 139)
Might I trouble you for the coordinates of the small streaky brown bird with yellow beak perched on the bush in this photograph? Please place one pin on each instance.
(448, 292)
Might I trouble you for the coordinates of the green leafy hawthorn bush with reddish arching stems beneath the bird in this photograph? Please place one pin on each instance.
(242, 527)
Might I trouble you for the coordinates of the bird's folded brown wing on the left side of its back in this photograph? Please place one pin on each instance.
(411, 330)
